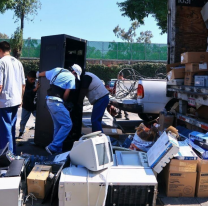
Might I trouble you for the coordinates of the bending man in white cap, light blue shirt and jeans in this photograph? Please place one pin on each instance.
(61, 82)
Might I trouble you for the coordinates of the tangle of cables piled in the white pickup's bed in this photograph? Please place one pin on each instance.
(124, 88)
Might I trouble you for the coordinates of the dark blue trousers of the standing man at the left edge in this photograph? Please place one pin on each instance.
(8, 118)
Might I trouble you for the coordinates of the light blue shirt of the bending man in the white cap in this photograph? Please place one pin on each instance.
(65, 80)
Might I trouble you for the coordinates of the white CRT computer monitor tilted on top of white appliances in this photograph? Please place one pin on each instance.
(93, 151)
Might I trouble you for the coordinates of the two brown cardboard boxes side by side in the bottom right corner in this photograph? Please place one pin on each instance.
(186, 178)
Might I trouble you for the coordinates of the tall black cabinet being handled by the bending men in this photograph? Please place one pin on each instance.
(59, 51)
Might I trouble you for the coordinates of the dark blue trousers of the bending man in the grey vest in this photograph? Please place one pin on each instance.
(98, 112)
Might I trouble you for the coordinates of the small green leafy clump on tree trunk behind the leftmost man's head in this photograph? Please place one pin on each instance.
(16, 43)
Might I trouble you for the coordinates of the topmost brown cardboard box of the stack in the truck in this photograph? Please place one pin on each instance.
(194, 57)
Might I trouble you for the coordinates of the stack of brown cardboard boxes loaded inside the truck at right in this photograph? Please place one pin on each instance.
(195, 64)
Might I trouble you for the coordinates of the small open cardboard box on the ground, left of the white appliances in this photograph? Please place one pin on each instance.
(36, 180)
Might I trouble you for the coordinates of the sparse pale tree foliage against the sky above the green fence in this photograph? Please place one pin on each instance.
(130, 35)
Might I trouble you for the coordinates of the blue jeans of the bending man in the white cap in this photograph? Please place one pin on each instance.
(62, 124)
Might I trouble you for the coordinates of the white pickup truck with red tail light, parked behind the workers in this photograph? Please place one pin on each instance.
(148, 100)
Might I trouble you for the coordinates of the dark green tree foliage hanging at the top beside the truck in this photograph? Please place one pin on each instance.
(139, 9)
